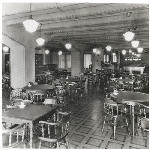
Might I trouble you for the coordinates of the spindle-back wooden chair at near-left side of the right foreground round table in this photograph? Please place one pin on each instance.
(114, 110)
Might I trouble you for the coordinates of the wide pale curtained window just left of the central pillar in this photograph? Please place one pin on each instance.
(65, 61)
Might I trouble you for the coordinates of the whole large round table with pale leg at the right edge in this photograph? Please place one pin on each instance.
(131, 98)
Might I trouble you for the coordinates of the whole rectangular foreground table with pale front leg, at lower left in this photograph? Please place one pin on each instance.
(29, 114)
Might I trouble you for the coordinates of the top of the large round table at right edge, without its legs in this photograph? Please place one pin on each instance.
(133, 96)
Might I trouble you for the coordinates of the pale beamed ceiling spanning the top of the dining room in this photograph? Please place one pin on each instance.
(93, 24)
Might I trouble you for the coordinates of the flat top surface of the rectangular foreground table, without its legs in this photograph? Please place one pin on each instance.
(30, 112)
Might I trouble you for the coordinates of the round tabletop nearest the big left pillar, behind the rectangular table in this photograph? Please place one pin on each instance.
(39, 87)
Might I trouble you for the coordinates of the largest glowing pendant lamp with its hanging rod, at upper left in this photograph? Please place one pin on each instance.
(30, 24)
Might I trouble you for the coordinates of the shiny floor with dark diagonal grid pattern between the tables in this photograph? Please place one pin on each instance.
(86, 124)
